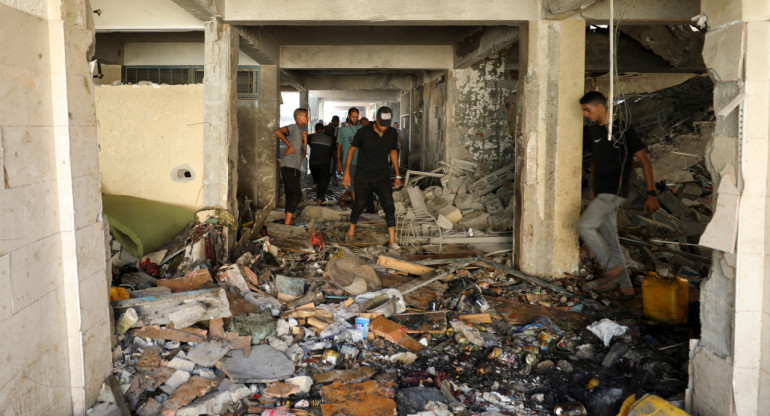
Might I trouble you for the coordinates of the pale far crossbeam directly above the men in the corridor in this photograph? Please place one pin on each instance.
(367, 56)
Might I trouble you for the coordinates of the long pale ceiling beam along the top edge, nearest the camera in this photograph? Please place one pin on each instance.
(393, 12)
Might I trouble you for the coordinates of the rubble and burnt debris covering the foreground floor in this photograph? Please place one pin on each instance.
(293, 322)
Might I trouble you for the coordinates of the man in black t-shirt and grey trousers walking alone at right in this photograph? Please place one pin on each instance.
(611, 171)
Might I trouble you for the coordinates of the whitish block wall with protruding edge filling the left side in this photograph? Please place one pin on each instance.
(54, 316)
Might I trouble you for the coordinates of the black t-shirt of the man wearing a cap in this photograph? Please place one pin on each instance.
(373, 153)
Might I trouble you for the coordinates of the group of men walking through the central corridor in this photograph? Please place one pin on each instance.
(376, 144)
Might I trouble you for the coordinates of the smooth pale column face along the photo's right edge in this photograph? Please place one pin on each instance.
(751, 373)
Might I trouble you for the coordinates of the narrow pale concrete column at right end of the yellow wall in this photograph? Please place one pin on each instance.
(220, 134)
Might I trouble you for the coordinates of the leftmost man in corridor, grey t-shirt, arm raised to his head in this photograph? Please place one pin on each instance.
(295, 138)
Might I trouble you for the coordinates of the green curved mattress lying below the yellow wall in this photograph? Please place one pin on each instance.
(141, 225)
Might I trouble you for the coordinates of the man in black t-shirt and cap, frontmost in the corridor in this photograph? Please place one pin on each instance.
(374, 143)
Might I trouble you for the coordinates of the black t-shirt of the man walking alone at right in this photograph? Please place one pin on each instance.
(612, 157)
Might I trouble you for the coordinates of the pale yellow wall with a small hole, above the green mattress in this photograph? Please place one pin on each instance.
(145, 131)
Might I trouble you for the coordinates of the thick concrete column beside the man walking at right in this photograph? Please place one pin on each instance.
(548, 154)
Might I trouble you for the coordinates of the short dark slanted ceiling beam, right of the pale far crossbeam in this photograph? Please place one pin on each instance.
(483, 43)
